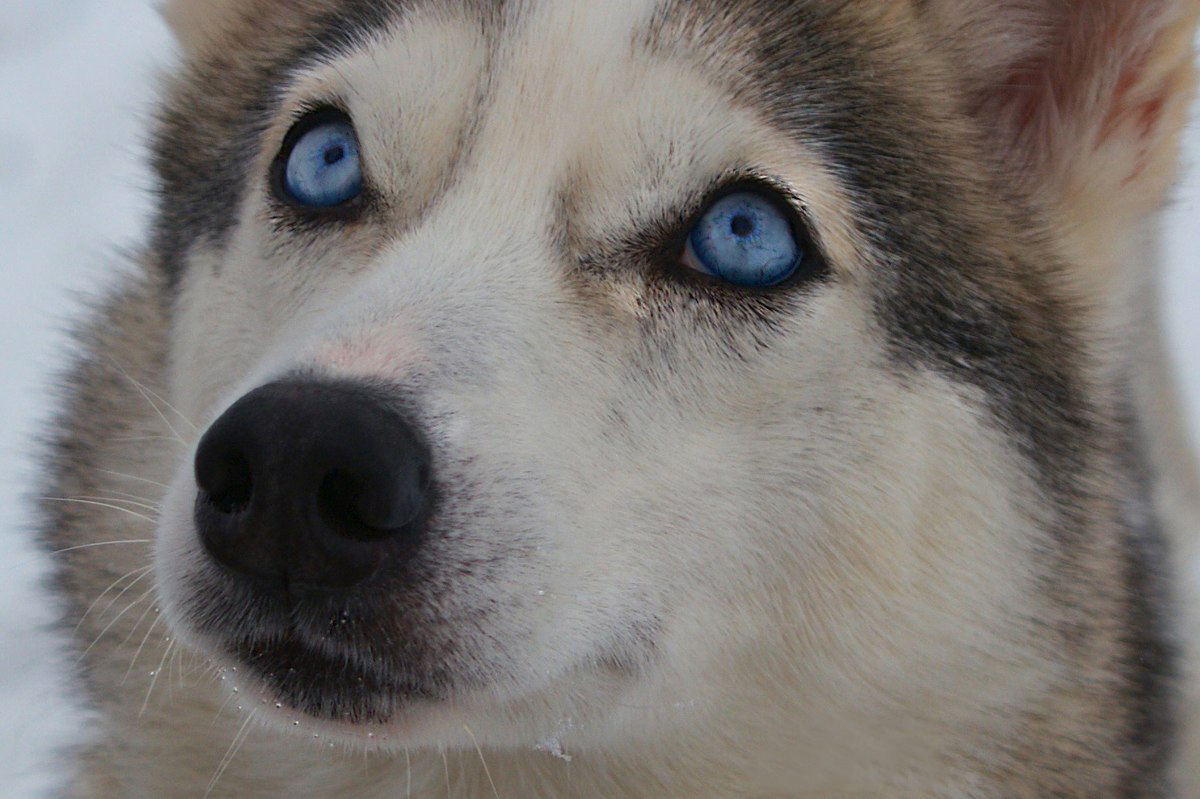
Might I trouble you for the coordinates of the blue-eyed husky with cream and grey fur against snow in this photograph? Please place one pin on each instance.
(641, 399)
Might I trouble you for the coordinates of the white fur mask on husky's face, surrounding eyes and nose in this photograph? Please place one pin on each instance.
(743, 531)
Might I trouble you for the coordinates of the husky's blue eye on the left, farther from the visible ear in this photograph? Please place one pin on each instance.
(323, 170)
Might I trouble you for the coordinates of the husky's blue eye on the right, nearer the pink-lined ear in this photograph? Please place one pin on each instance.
(745, 239)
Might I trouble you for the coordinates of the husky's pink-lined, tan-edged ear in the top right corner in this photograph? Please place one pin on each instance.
(1085, 99)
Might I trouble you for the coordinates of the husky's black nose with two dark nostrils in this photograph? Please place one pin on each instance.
(311, 485)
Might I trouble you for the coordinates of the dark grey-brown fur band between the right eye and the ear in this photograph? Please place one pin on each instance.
(949, 298)
